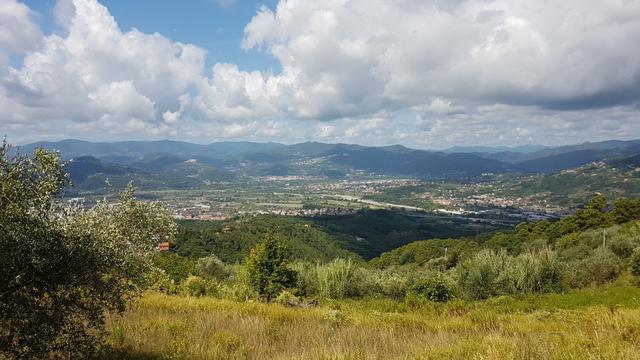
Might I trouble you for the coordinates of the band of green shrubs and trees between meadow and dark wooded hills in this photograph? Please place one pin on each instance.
(595, 246)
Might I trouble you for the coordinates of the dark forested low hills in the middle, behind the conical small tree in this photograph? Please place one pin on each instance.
(365, 234)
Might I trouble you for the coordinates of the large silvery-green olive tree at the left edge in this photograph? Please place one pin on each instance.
(61, 268)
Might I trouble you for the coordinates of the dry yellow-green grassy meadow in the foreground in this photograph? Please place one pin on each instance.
(585, 324)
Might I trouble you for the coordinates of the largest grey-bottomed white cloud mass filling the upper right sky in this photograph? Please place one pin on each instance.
(356, 56)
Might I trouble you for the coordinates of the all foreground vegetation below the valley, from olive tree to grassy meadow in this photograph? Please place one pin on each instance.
(279, 287)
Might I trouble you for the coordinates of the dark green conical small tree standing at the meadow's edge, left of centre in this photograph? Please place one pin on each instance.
(268, 270)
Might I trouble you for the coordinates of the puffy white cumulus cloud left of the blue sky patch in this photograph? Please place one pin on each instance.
(98, 72)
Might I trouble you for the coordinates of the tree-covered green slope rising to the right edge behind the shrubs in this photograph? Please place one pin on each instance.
(575, 237)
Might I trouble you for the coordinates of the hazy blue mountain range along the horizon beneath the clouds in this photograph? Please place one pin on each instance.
(189, 164)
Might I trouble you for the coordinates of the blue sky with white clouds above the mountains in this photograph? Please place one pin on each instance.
(422, 73)
